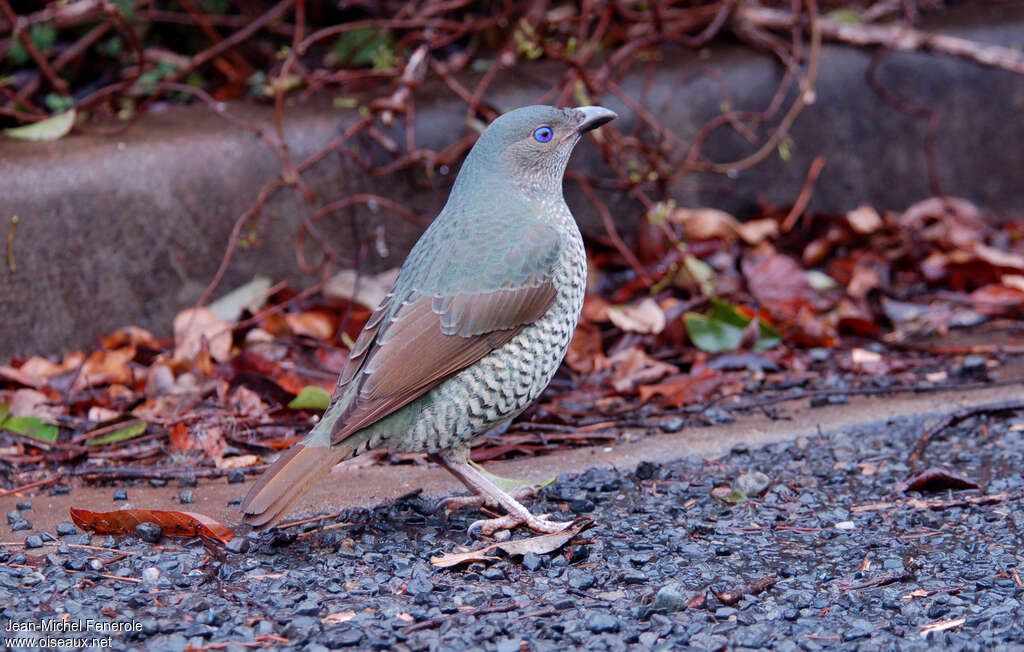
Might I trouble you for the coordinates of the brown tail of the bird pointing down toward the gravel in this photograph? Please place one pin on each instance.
(295, 472)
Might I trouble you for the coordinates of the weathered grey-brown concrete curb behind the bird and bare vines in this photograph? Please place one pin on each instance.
(131, 230)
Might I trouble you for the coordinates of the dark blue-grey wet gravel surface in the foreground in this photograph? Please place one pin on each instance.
(827, 557)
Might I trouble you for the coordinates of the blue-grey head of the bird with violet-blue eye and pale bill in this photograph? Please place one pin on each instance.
(532, 146)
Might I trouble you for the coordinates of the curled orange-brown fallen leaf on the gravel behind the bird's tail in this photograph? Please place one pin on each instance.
(174, 524)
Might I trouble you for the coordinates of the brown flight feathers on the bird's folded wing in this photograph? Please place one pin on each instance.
(428, 340)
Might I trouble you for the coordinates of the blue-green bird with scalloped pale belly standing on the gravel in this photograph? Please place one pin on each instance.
(473, 330)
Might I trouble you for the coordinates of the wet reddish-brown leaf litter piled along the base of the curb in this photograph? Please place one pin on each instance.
(723, 313)
